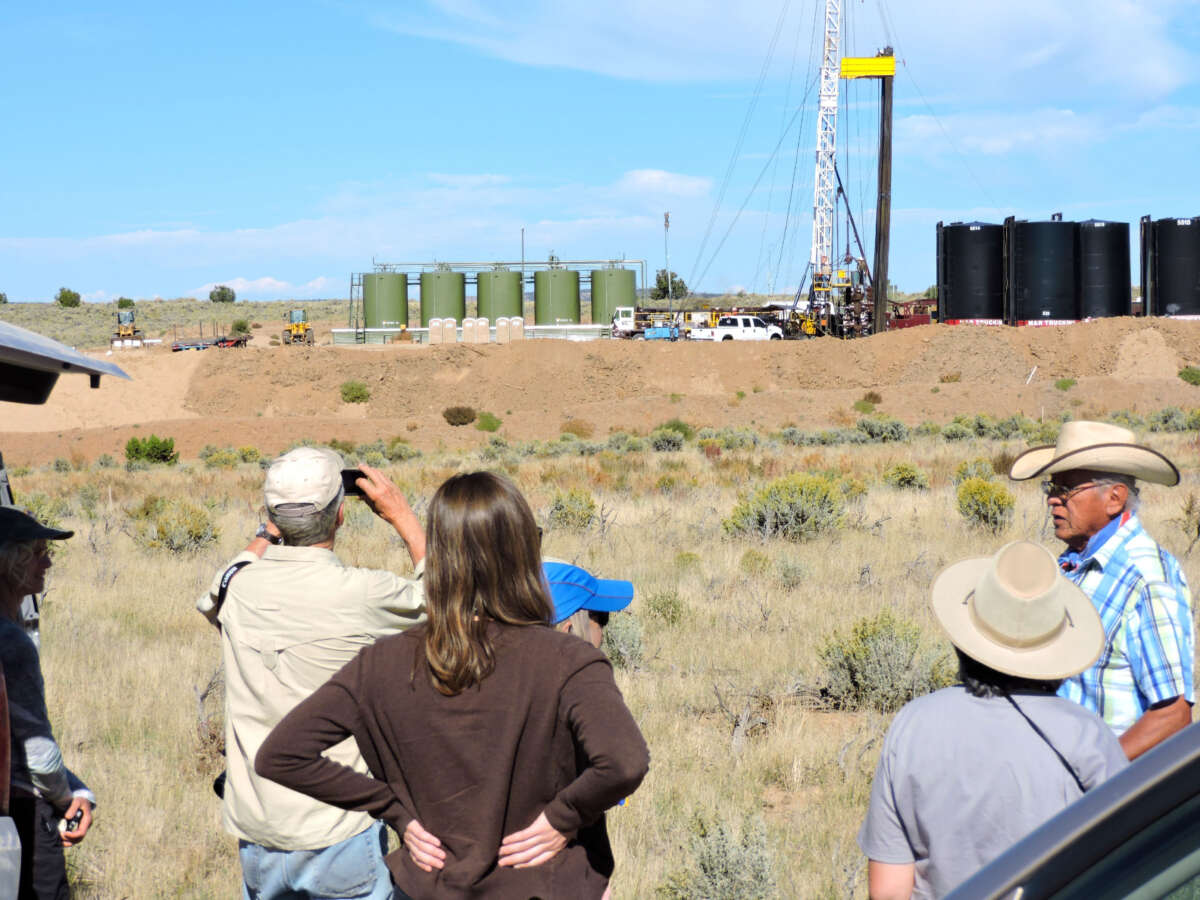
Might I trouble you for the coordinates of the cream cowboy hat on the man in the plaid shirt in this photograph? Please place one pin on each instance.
(1100, 447)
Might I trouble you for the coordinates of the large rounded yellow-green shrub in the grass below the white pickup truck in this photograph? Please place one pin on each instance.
(796, 508)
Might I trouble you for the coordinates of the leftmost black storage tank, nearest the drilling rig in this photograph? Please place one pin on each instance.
(971, 273)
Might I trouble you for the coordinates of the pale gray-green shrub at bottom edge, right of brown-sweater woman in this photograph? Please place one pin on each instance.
(724, 867)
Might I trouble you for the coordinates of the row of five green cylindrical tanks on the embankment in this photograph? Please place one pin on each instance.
(443, 292)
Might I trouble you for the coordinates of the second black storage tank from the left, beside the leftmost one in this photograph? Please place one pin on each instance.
(1043, 284)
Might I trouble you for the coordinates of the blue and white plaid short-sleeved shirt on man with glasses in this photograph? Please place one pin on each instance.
(1144, 603)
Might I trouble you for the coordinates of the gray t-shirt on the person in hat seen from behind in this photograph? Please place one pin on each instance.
(963, 778)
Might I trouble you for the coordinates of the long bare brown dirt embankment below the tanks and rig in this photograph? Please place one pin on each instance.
(268, 398)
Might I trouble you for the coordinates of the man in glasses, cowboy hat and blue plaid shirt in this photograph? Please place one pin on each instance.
(1142, 685)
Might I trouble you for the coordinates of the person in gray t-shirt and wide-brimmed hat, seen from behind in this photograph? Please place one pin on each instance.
(969, 771)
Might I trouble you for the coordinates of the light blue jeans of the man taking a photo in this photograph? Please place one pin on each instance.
(351, 869)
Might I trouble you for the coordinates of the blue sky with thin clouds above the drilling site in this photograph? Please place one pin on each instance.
(153, 152)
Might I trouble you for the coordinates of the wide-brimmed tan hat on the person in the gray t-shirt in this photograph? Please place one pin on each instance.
(1017, 614)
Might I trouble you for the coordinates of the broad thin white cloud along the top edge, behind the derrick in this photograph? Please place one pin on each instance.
(1053, 50)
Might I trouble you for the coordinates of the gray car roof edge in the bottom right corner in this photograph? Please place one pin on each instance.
(1089, 830)
